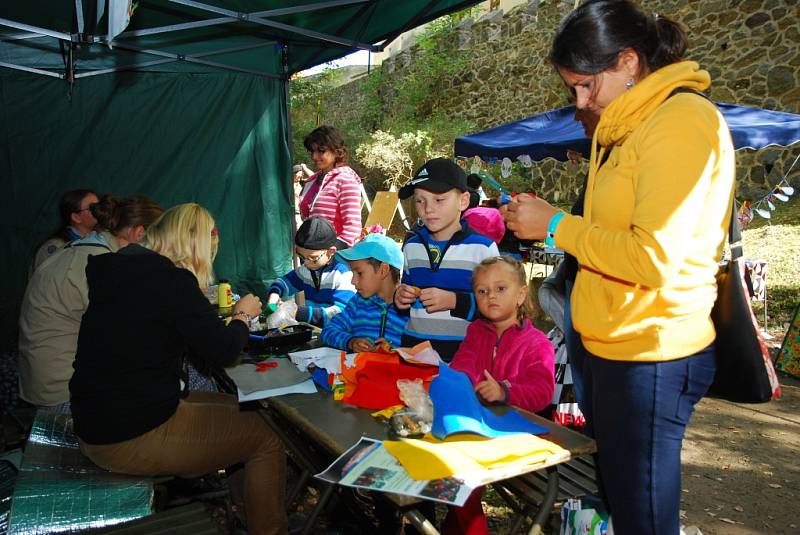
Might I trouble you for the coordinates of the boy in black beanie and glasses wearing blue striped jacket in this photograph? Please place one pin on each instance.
(327, 283)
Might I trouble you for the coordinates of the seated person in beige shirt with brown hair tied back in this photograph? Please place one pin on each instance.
(57, 296)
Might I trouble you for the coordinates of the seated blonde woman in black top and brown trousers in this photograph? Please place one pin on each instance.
(147, 313)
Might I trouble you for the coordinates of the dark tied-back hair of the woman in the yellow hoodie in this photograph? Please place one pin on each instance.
(590, 38)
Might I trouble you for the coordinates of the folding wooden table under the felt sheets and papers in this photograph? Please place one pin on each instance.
(317, 429)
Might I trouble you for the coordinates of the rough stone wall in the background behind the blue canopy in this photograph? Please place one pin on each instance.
(750, 47)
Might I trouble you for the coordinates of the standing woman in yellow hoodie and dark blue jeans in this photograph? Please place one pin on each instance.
(657, 207)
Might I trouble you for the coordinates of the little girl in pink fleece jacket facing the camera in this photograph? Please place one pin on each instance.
(507, 359)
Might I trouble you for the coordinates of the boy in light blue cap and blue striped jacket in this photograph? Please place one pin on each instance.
(370, 317)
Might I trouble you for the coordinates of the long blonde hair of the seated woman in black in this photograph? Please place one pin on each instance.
(184, 235)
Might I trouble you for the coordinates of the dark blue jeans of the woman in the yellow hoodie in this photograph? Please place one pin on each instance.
(638, 412)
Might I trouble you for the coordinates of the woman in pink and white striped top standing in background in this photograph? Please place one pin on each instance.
(333, 192)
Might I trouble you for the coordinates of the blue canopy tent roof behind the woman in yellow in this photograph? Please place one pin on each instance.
(550, 134)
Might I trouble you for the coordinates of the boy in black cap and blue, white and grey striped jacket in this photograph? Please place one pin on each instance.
(440, 256)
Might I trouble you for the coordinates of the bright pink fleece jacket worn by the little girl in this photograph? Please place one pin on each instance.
(523, 356)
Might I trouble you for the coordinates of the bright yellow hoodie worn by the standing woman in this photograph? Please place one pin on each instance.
(655, 221)
